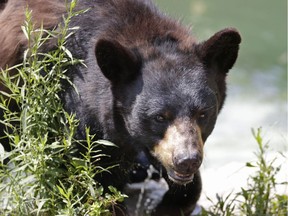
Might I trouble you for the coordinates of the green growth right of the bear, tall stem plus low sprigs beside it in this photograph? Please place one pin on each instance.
(260, 198)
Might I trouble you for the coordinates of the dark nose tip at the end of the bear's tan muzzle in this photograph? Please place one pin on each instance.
(187, 164)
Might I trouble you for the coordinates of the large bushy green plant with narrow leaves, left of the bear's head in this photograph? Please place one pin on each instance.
(45, 174)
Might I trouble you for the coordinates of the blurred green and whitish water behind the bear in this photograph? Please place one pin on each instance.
(257, 85)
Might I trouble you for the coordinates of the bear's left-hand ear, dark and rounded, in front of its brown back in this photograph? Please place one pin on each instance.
(117, 63)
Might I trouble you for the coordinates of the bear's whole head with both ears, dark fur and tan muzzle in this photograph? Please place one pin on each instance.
(169, 103)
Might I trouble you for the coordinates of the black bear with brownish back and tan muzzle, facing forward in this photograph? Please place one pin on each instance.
(148, 87)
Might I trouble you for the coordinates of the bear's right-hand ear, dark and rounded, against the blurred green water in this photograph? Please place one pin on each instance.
(221, 50)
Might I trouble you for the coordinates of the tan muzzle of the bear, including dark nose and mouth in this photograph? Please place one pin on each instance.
(180, 153)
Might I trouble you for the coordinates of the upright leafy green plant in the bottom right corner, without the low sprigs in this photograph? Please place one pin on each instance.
(260, 197)
